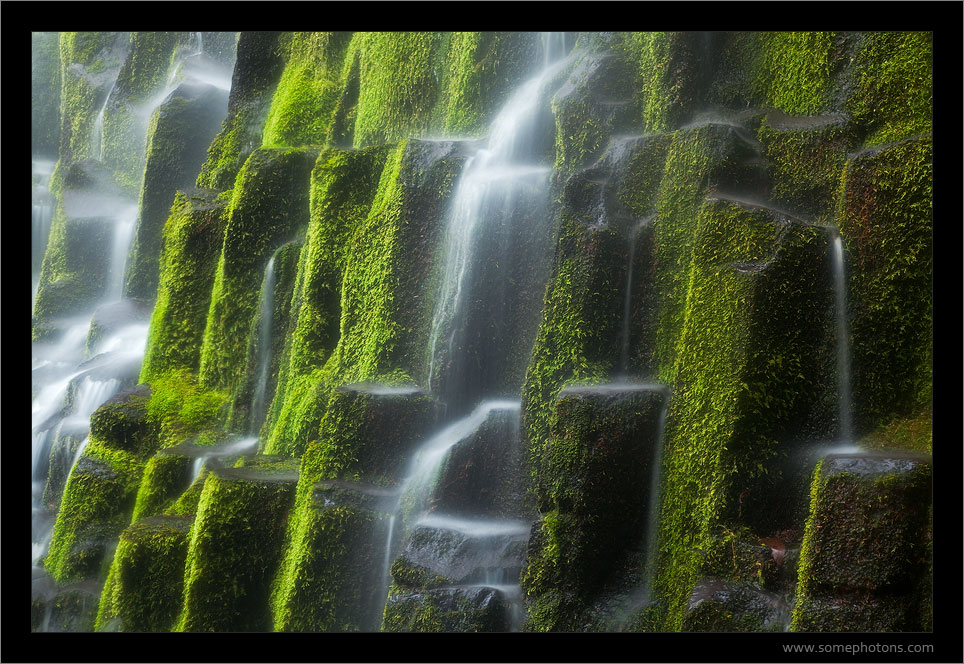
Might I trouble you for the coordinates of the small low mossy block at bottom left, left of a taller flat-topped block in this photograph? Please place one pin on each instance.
(143, 591)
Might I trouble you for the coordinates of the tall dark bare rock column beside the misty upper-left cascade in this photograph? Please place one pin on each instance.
(177, 138)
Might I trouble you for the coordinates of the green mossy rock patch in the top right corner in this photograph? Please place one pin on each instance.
(892, 94)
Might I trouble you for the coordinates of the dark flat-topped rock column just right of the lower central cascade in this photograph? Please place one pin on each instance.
(594, 498)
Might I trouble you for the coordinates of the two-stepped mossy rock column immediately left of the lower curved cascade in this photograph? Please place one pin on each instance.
(367, 434)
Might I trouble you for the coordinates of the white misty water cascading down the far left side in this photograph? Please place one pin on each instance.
(69, 379)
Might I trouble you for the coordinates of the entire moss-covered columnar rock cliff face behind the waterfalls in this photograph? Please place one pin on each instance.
(681, 358)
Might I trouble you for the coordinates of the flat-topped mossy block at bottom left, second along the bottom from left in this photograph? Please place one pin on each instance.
(235, 547)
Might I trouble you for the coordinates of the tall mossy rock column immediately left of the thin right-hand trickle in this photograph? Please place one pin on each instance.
(753, 378)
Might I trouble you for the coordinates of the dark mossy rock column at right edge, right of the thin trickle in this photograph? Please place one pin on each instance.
(886, 223)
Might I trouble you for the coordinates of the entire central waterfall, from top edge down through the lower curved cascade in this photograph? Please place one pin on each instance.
(496, 245)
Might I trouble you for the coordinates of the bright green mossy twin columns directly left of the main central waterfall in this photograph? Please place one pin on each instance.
(381, 336)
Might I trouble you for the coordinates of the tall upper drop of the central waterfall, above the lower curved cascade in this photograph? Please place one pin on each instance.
(488, 235)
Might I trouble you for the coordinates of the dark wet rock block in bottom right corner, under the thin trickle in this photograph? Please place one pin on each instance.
(865, 548)
